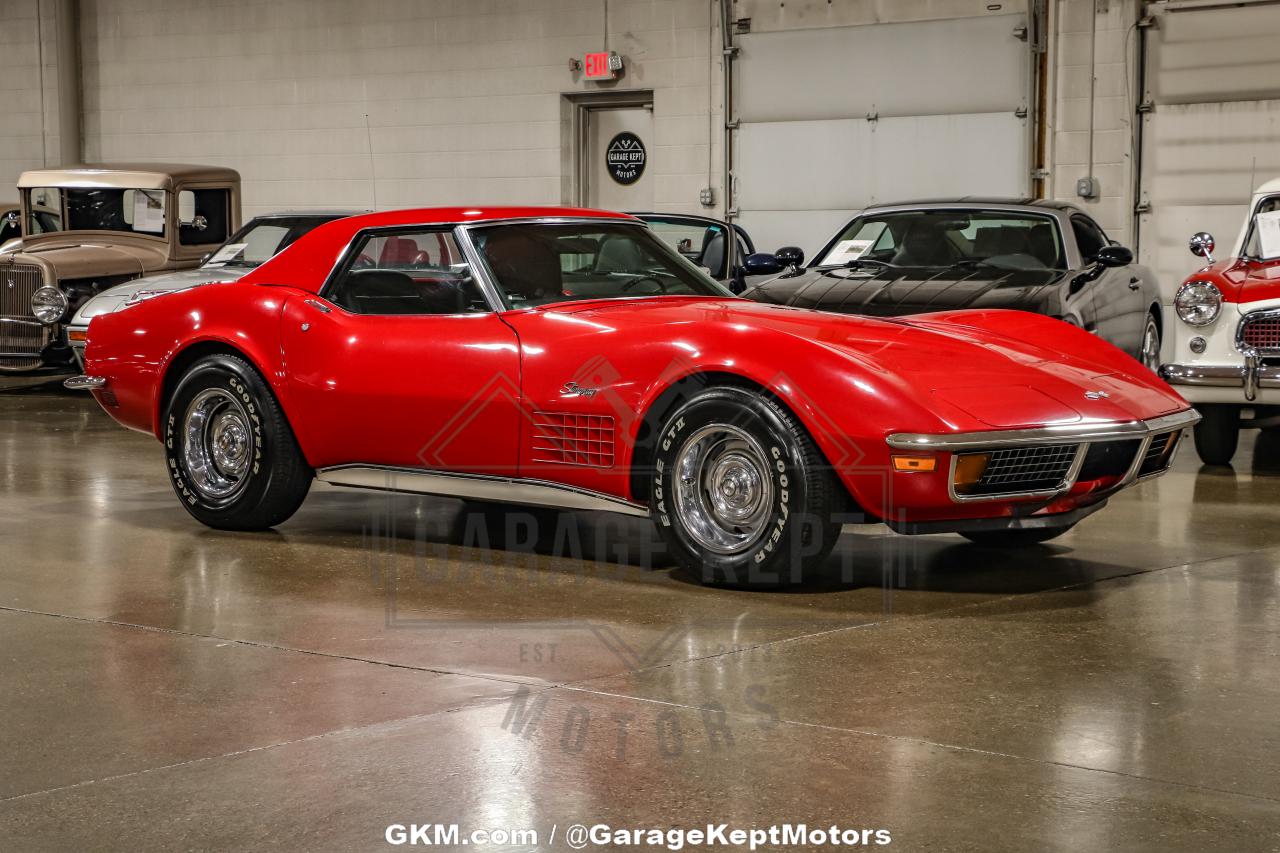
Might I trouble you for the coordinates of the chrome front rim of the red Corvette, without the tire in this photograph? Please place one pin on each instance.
(723, 489)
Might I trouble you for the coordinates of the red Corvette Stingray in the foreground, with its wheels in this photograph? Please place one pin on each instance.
(570, 359)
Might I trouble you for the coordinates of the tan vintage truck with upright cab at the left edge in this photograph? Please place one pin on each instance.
(86, 229)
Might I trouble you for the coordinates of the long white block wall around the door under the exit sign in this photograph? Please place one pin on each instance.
(463, 97)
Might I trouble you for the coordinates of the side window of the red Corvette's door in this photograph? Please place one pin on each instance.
(422, 272)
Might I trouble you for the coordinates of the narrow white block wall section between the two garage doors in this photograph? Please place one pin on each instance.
(1112, 57)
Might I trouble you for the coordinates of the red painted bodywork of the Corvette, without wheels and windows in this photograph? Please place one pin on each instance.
(469, 393)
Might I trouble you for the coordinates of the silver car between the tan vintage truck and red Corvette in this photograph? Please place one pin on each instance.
(259, 241)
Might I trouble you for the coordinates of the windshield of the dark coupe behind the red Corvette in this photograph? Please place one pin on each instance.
(945, 239)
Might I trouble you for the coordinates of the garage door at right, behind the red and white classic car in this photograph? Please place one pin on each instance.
(1213, 81)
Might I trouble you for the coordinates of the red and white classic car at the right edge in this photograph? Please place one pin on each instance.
(1227, 348)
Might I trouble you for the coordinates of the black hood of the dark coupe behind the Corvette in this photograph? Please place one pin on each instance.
(894, 291)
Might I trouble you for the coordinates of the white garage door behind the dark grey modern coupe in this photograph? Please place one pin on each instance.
(833, 120)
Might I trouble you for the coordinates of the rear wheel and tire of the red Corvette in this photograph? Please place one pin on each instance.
(234, 460)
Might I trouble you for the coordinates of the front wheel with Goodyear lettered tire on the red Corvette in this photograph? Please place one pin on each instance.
(740, 492)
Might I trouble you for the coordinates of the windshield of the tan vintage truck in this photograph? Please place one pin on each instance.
(136, 212)
